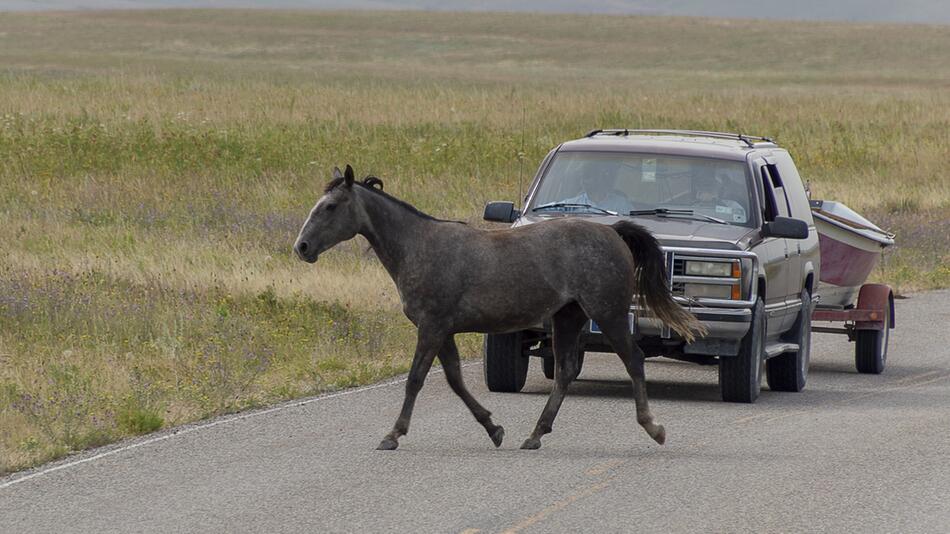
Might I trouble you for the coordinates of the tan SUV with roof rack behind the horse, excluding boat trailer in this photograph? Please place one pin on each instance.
(742, 253)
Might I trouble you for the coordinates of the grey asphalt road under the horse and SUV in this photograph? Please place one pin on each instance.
(851, 453)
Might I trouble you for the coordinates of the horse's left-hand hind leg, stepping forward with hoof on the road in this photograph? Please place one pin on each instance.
(567, 324)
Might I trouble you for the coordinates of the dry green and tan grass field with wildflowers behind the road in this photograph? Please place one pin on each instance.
(156, 166)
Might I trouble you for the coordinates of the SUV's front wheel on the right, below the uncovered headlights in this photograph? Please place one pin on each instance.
(740, 376)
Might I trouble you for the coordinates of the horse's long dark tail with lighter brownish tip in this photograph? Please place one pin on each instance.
(652, 284)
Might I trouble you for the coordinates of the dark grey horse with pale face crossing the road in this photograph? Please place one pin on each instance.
(454, 278)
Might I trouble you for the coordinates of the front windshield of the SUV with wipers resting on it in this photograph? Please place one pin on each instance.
(612, 182)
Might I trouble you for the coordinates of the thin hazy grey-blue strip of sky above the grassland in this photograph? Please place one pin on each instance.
(925, 11)
